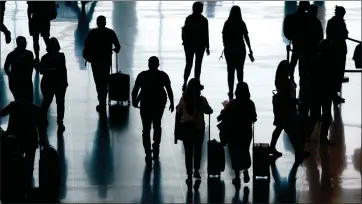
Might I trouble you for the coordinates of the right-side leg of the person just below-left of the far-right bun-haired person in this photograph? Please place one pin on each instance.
(326, 120)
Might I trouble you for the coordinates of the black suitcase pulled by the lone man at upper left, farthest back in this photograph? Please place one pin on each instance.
(118, 86)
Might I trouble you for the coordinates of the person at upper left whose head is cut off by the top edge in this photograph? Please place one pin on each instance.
(40, 14)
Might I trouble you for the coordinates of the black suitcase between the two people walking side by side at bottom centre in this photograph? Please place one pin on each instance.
(215, 156)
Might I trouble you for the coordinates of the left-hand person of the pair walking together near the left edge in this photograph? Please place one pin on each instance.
(19, 66)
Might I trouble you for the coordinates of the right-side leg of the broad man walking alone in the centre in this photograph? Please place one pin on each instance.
(157, 131)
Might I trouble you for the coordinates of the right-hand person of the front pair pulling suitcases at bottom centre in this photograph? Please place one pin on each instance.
(239, 115)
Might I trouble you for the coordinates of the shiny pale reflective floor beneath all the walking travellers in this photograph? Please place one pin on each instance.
(106, 164)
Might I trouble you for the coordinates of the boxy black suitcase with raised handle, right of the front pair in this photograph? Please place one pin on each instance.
(260, 159)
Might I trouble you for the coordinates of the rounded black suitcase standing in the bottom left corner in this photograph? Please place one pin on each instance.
(49, 173)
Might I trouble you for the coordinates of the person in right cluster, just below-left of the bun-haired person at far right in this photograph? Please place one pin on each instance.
(323, 89)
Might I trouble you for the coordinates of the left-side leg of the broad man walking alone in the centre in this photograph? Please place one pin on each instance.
(146, 133)
